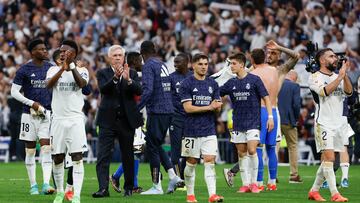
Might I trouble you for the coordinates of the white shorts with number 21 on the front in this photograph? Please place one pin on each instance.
(196, 146)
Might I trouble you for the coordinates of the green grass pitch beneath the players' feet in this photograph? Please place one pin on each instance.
(14, 187)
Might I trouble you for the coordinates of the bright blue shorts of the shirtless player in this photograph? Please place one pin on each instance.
(268, 138)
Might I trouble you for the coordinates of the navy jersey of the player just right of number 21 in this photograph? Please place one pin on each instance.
(245, 95)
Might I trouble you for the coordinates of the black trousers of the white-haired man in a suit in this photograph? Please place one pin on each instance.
(125, 134)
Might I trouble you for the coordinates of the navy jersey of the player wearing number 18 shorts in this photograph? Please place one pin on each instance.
(32, 78)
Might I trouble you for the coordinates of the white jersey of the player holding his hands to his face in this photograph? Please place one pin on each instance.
(67, 97)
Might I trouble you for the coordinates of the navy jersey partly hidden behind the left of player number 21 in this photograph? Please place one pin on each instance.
(175, 79)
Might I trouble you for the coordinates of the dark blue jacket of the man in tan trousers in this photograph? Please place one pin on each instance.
(289, 102)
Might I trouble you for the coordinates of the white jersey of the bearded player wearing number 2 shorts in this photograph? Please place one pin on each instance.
(328, 108)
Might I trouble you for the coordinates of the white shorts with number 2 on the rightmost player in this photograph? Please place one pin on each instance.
(328, 138)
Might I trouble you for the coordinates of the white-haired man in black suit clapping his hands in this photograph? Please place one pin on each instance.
(118, 117)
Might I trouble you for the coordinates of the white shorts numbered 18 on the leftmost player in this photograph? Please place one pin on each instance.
(33, 128)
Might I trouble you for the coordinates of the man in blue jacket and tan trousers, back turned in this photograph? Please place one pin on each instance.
(289, 108)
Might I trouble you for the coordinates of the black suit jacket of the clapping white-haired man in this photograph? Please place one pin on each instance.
(112, 93)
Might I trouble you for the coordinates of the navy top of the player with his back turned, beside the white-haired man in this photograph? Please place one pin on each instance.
(156, 87)
